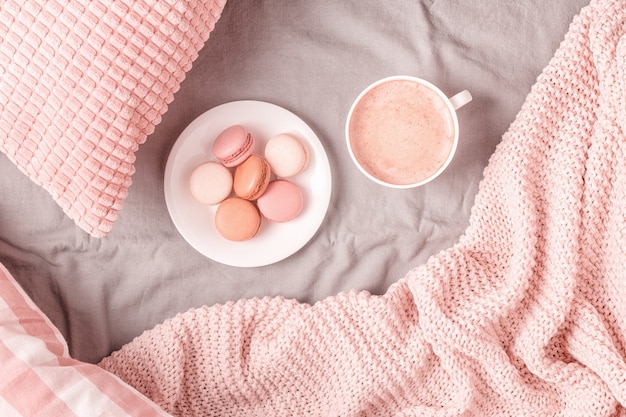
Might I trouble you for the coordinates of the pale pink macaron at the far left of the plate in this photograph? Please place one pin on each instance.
(210, 183)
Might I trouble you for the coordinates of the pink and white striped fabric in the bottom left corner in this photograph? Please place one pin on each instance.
(39, 378)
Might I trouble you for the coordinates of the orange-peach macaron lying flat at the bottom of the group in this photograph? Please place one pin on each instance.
(237, 219)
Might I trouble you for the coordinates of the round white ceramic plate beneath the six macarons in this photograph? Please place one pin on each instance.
(274, 241)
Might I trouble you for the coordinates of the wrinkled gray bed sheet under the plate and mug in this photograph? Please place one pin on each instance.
(312, 58)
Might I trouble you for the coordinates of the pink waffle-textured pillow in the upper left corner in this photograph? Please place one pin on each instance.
(83, 83)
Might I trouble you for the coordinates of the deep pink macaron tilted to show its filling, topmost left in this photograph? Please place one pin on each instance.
(233, 145)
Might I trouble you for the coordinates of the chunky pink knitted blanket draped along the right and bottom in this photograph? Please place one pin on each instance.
(524, 316)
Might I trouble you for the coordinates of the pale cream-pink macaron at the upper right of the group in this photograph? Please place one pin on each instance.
(286, 154)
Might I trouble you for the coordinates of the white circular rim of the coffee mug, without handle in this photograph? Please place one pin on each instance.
(418, 80)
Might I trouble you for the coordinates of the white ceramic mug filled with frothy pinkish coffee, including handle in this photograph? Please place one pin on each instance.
(403, 131)
